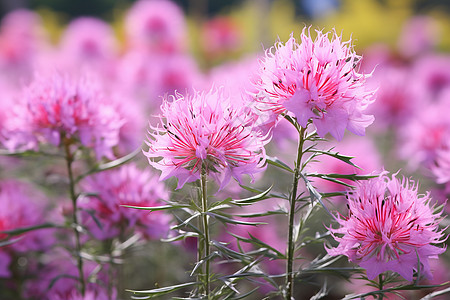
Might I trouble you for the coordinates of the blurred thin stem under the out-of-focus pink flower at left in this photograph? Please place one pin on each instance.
(73, 197)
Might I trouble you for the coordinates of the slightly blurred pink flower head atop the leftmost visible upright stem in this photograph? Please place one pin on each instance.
(58, 106)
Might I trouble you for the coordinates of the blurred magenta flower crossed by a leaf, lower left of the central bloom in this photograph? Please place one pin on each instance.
(127, 185)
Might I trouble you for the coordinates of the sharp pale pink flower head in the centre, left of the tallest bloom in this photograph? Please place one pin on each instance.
(206, 129)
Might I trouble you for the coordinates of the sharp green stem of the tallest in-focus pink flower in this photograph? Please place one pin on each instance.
(292, 201)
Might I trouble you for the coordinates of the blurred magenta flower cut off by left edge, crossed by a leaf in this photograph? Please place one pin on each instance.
(21, 206)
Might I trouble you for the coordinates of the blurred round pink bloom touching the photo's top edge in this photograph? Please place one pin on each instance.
(156, 26)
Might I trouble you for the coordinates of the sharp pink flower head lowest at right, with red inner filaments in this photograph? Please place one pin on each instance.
(389, 227)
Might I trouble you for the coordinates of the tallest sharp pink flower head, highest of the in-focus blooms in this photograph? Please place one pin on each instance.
(316, 80)
